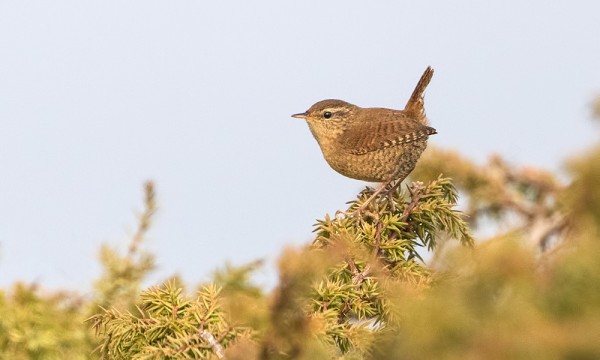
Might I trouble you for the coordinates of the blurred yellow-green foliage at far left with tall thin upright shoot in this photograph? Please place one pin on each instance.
(38, 324)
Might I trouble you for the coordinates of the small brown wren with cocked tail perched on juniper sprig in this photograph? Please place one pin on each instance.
(371, 144)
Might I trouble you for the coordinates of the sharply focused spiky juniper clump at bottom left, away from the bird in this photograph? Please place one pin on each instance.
(167, 326)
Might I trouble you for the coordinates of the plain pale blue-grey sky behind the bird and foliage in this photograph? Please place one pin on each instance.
(98, 96)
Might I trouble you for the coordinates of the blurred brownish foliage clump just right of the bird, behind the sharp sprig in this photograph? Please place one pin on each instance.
(504, 198)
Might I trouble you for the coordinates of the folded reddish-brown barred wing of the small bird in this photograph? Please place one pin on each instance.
(368, 136)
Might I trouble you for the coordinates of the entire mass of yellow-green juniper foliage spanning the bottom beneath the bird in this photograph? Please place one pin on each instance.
(361, 290)
